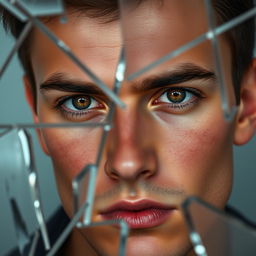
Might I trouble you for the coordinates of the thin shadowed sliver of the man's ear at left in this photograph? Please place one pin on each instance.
(32, 104)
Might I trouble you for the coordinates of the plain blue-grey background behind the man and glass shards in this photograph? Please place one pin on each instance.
(14, 109)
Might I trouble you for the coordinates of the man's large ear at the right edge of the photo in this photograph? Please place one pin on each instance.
(246, 118)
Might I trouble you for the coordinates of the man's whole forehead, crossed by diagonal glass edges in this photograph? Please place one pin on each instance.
(148, 32)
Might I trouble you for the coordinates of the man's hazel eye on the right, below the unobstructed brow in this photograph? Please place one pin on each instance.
(178, 99)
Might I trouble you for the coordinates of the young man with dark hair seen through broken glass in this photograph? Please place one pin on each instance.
(171, 141)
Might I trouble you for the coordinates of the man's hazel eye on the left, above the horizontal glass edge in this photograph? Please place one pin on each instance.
(80, 107)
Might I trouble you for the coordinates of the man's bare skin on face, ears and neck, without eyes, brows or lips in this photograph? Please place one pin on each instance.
(155, 150)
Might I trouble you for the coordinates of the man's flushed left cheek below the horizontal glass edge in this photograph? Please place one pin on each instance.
(71, 150)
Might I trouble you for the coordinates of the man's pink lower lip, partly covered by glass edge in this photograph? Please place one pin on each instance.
(147, 218)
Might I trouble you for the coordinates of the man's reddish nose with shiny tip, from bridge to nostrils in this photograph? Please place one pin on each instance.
(130, 151)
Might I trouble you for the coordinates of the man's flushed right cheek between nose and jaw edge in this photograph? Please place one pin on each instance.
(198, 156)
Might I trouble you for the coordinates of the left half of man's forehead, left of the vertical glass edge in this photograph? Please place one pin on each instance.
(88, 40)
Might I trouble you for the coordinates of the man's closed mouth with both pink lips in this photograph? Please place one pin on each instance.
(138, 214)
